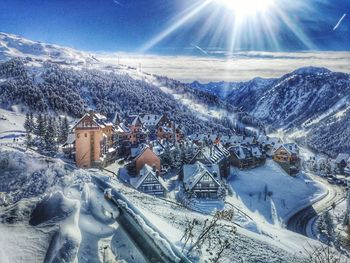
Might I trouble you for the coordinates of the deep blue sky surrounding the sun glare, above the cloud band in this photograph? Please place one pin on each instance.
(133, 25)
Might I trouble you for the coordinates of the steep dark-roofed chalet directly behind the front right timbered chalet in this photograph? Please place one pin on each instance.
(214, 154)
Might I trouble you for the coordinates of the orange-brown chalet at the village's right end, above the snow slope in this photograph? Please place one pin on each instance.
(287, 156)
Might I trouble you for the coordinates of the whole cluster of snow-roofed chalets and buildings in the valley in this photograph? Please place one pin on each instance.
(152, 154)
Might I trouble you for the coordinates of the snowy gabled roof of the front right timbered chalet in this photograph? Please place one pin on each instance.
(193, 173)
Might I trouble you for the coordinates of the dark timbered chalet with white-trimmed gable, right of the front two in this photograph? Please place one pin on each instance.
(202, 181)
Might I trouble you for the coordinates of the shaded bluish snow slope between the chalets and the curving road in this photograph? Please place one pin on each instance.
(288, 193)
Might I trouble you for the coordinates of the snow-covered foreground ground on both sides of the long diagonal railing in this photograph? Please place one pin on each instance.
(59, 213)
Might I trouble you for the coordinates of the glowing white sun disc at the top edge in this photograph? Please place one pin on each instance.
(244, 8)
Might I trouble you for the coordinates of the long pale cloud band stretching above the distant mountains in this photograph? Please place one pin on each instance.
(240, 66)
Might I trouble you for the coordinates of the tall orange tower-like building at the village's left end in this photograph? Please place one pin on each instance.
(93, 140)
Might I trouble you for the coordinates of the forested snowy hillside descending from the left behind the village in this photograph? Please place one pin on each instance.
(41, 77)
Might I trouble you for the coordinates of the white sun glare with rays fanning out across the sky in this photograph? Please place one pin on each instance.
(237, 25)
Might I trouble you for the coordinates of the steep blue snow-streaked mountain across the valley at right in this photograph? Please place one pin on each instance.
(311, 103)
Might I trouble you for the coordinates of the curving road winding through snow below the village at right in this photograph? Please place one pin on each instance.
(301, 221)
